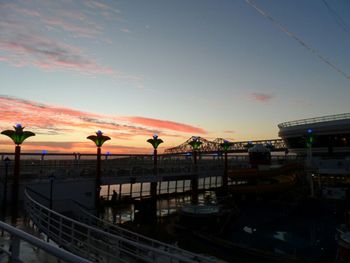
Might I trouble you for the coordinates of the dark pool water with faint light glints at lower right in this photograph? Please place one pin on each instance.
(305, 234)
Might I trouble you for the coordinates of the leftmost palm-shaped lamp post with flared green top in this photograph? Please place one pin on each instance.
(18, 136)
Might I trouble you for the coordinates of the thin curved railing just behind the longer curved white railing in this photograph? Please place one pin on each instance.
(90, 219)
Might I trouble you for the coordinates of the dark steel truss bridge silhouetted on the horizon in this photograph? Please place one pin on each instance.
(207, 146)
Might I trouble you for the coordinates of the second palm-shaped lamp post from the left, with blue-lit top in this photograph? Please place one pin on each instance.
(99, 140)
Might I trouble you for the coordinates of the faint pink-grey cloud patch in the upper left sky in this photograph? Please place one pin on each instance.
(24, 43)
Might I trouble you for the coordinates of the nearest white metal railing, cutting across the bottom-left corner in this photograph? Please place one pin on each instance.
(16, 236)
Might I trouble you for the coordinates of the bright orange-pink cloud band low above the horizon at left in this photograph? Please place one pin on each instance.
(55, 120)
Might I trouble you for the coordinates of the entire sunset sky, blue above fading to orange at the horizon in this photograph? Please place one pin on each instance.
(232, 69)
